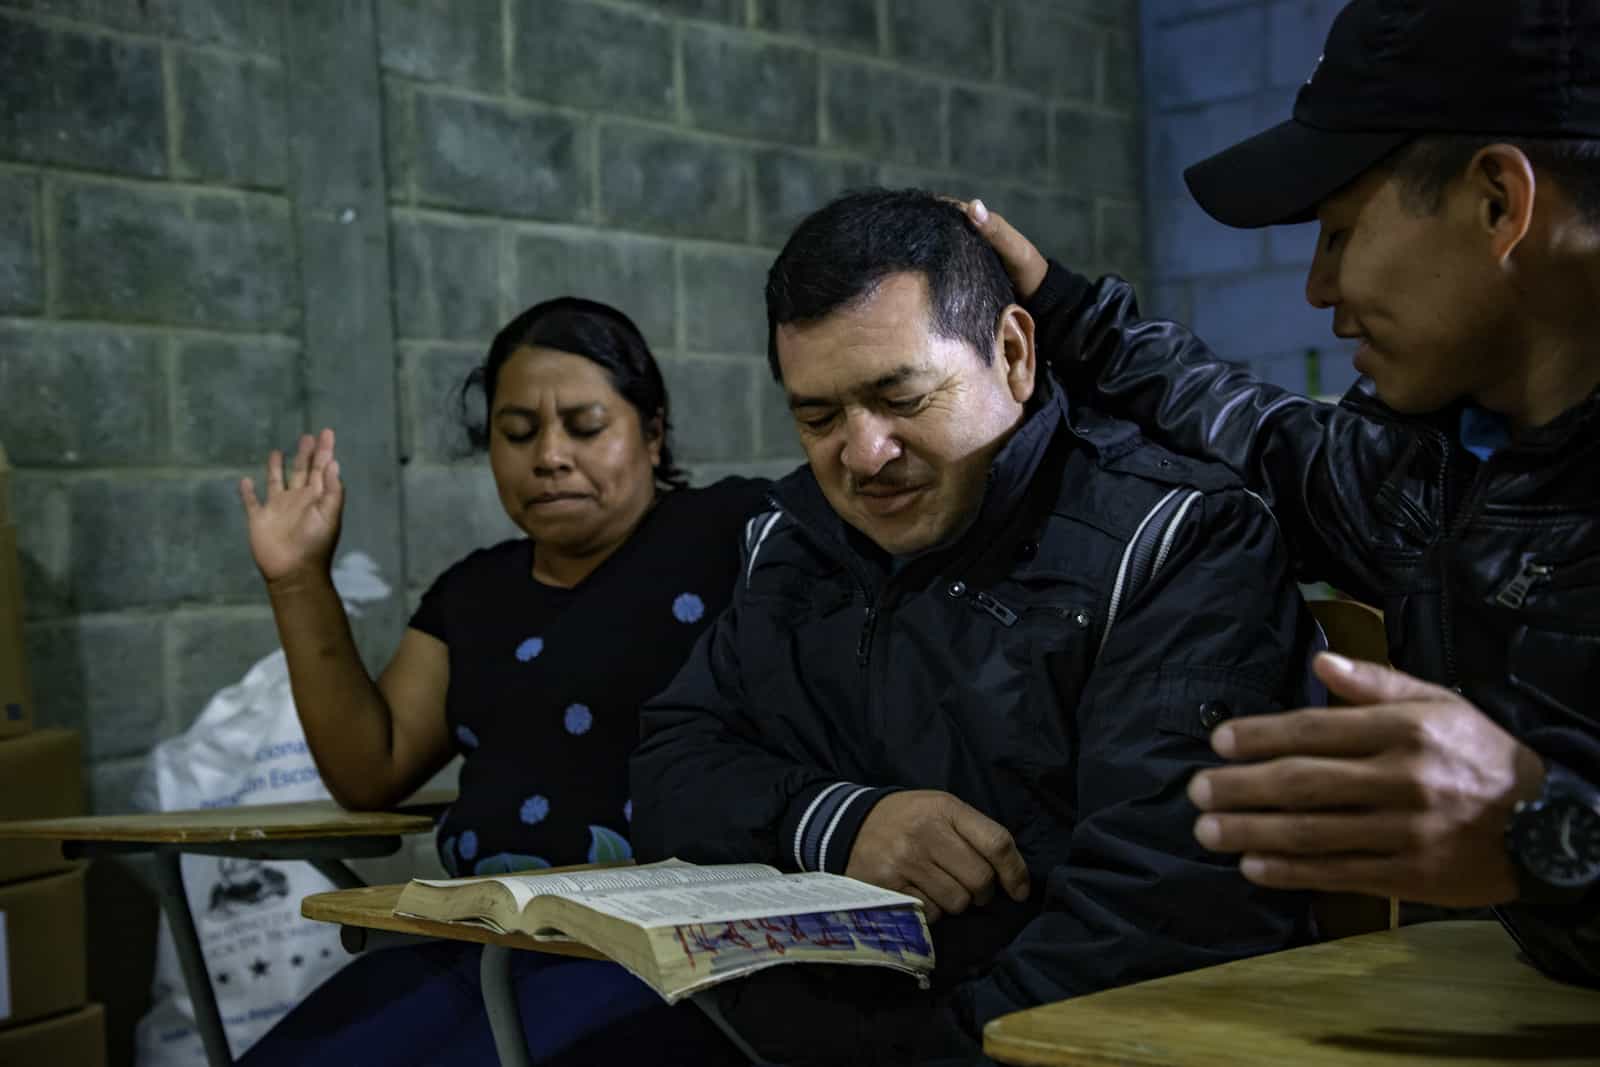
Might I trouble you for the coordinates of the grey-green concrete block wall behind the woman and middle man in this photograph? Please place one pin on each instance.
(174, 282)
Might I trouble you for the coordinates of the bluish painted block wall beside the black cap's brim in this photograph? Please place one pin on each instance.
(1215, 73)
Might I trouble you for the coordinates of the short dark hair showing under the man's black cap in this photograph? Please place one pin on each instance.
(1428, 166)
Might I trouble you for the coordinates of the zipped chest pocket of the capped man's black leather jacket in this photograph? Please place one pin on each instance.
(1554, 655)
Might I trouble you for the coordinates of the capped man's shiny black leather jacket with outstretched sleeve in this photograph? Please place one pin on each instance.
(1489, 573)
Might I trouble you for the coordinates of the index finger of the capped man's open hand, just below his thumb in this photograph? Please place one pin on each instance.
(1332, 732)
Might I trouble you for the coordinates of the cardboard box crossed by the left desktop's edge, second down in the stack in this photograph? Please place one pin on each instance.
(41, 778)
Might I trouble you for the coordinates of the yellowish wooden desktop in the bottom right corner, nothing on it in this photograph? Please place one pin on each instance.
(1431, 994)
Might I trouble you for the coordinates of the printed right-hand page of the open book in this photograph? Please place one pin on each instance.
(743, 900)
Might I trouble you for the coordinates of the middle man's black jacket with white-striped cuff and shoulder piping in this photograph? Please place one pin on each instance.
(988, 671)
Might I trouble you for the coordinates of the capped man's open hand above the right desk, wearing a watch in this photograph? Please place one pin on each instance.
(1404, 794)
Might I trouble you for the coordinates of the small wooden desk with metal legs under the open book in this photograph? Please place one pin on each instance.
(367, 911)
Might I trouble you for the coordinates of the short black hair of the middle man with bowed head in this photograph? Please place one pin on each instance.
(841, 254)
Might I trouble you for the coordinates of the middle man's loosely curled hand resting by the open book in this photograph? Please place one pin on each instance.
(940, 850)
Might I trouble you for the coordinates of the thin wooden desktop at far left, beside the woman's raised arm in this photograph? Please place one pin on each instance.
(260, 823)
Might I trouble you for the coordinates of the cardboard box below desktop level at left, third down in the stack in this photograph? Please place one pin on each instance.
(44, 953)
